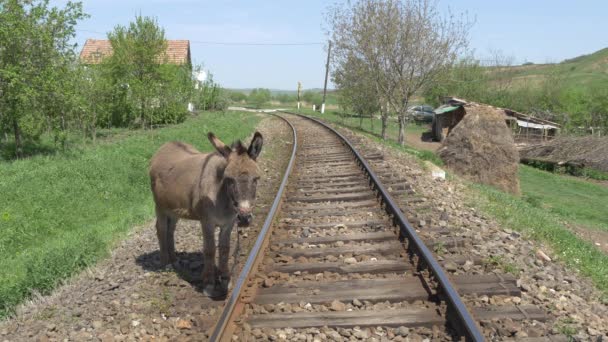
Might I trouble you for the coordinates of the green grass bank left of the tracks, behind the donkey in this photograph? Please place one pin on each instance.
(62, 213)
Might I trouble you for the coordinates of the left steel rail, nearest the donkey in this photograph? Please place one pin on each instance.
(229, 308)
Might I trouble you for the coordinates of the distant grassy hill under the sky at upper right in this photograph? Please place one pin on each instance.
(583, 71)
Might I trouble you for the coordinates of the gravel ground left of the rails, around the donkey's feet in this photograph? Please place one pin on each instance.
(129, 297)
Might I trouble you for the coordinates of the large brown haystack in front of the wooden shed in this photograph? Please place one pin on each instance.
(481, 149)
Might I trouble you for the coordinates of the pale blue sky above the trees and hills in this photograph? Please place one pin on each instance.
(536, 31)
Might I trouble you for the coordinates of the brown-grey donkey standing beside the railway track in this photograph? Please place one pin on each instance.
(217, 189)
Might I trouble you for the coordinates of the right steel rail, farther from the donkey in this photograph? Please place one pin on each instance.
(467, 323)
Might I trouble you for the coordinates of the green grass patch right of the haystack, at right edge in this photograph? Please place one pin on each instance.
(576, 201)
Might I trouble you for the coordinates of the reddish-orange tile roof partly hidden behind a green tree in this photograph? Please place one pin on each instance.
(94, 50)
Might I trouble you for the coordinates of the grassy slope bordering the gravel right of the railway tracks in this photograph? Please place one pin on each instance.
(549, 202)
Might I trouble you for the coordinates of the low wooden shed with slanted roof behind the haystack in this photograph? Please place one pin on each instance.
(525, 128)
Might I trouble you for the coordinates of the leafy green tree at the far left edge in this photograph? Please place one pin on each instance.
(35, 54)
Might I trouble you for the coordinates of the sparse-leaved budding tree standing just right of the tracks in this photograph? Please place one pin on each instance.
(404, 44)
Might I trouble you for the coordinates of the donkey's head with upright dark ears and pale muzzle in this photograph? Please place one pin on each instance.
(241, 174)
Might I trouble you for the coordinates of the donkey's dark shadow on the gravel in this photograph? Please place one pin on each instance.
(189, 267)
